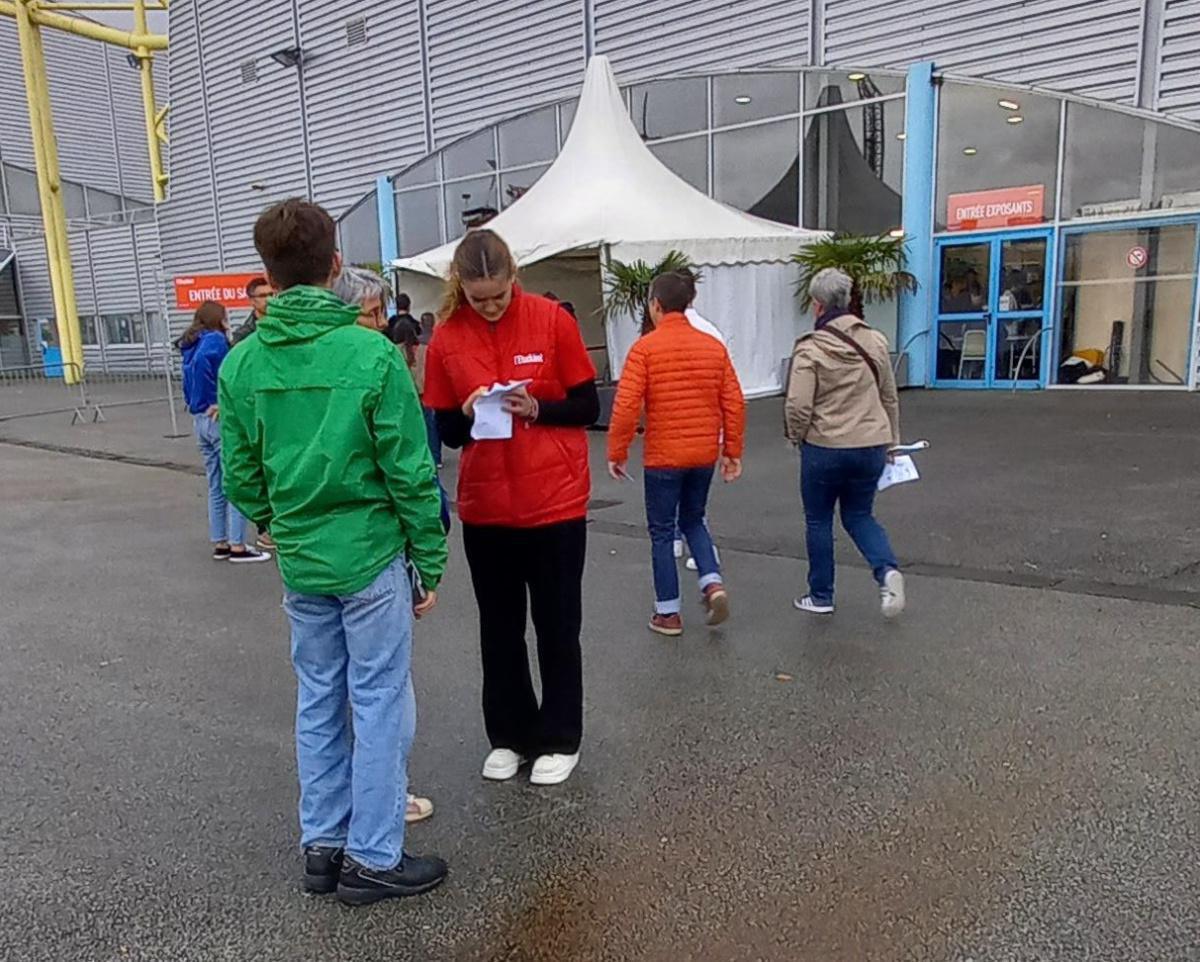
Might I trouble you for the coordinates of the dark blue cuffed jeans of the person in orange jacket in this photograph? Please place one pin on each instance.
(671, 495)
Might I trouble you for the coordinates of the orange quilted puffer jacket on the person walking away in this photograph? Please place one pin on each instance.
(687, 384)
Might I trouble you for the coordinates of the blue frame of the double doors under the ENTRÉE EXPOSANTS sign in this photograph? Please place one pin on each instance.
(995, 316)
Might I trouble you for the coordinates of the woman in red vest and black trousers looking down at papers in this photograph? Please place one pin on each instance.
(523, 500)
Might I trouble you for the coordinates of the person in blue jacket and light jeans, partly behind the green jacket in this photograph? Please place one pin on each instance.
(205, 347)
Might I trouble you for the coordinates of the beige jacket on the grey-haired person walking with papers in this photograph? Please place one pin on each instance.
(832, 398)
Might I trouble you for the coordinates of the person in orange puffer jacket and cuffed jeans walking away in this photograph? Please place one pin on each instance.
(686, 384)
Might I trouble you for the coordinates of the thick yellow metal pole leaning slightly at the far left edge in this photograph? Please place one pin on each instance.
(50, 191)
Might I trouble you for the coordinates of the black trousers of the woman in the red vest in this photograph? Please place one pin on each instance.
(545, 566)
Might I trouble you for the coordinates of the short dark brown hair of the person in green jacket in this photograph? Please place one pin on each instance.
(298, 242)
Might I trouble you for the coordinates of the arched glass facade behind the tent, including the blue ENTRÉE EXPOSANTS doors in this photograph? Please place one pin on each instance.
(826, 149)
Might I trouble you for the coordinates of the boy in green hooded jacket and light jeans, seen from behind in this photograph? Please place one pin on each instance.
(325, 438)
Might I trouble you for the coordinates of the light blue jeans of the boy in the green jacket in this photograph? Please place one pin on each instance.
(356, 653)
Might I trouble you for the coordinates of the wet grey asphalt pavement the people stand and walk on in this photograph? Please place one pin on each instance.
(1010, 773)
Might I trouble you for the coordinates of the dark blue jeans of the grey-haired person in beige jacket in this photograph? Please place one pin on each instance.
(847, 477)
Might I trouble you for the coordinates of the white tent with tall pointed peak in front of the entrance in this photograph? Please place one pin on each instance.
(608, 196)
